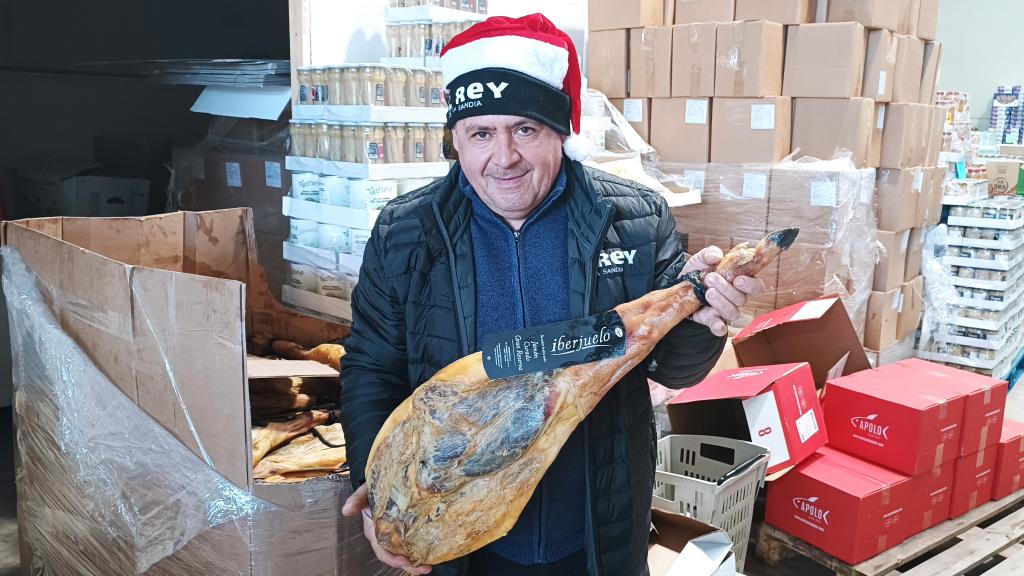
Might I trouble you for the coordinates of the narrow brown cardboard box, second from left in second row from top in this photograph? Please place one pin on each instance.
(651, 63)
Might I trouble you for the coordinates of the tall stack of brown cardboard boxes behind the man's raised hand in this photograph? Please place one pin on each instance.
(730, 90)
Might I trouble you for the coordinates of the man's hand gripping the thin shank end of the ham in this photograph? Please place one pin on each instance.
(724, 300)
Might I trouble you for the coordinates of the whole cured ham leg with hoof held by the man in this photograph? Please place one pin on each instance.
(455, 465)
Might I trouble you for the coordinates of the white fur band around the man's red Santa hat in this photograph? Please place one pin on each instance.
(547, 63)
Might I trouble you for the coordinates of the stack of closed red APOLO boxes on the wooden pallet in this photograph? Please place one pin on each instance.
(911, 445)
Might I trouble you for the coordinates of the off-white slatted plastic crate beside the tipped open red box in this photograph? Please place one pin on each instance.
(714, 480)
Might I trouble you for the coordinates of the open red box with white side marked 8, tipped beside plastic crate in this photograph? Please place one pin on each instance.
(776, 407)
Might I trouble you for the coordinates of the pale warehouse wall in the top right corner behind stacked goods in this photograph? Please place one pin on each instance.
(982, 50)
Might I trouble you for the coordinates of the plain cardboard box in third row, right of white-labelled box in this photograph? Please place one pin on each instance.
(824, 129)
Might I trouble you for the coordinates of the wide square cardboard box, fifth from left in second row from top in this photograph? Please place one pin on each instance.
(825, 61)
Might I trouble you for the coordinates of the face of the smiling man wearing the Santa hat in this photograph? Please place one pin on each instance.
(510, 161)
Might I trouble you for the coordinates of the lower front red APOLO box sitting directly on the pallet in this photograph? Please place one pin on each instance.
(850, 509)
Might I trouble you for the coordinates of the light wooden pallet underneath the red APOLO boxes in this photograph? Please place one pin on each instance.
(969, 547)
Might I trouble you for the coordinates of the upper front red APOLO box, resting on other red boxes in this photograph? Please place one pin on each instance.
(881, 420)
